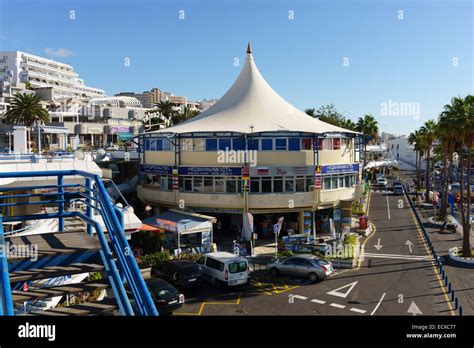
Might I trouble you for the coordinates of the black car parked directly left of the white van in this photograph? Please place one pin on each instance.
(183, 274)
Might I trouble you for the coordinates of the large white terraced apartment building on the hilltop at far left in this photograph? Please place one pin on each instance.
(19, 67)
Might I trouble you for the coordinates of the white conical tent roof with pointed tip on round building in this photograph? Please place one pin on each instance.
(250, 106)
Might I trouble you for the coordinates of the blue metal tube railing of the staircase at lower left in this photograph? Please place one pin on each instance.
(121, 270)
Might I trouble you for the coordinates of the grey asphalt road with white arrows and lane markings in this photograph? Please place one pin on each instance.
(390, 279)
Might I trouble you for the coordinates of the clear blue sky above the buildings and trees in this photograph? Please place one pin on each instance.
(408, 60)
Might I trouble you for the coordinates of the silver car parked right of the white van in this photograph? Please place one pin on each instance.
(303, 266)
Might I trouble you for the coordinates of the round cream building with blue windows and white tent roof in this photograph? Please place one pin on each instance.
(253, 152)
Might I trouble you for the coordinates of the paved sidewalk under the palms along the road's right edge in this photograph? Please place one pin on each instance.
(461, 278)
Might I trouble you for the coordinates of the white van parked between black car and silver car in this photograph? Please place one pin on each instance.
(224, 269)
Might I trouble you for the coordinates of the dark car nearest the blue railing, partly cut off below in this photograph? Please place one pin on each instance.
(166, 297)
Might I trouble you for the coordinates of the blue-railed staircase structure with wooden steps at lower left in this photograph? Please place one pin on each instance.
(63, 253)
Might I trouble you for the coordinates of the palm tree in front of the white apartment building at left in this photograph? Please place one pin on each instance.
(26, 109)
